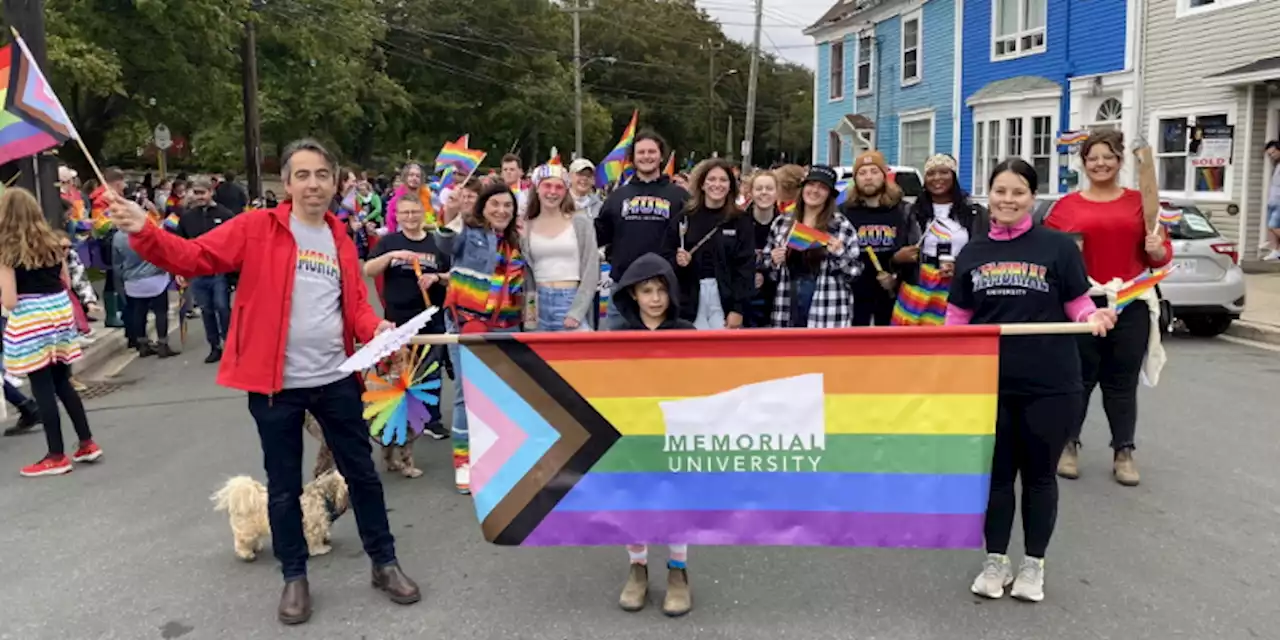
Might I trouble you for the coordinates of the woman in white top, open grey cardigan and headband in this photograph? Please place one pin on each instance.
(564, 260)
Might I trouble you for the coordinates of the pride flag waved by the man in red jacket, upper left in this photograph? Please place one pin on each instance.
(33, 120)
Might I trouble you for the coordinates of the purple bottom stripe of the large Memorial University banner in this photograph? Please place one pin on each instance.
(760, 528)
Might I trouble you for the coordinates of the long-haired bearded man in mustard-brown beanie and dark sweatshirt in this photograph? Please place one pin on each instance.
(875, 208)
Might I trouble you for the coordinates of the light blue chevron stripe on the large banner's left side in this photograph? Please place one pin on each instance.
(540, 436)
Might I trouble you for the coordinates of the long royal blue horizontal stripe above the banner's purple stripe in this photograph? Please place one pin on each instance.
(867, 493)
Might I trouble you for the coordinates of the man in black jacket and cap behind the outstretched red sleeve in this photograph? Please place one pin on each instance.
(212, 292)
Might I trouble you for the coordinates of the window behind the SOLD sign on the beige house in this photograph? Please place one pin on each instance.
(1177, 168)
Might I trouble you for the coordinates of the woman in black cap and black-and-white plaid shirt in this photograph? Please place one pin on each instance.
(815, 285)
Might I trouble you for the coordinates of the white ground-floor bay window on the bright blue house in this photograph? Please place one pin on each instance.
(1026, 109)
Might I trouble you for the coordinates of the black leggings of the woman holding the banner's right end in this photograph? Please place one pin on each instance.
(1031, 432)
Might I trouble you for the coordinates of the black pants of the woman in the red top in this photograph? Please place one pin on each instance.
(1114, 363)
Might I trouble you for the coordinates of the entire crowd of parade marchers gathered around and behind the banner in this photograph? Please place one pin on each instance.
(548, 252)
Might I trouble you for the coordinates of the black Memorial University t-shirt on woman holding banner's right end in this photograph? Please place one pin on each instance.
(1026, 280)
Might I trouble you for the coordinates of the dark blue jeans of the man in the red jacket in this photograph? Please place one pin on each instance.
(337, 408)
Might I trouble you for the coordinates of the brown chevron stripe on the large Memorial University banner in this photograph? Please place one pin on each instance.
(573, 437)
